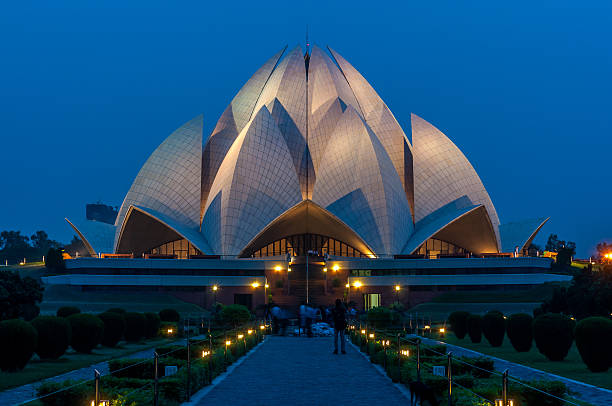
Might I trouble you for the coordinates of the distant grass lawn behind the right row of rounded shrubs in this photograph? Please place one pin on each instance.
(440, 311)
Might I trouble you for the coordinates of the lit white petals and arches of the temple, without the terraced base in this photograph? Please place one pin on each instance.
(307, 158)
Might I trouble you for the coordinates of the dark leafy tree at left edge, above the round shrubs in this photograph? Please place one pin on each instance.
(19, 297)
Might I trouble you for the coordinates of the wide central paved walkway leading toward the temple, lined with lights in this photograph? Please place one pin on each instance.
(303, 371)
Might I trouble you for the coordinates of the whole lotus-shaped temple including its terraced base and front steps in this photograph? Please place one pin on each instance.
(307, 189)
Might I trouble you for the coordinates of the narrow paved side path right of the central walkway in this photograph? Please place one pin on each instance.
(589, 393)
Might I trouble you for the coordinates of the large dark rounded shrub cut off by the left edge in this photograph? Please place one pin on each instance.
(18, 340)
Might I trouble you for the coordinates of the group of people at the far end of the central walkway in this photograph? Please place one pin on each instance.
(336, 316)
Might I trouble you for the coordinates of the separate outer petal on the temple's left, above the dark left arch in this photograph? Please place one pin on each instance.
(169, 181)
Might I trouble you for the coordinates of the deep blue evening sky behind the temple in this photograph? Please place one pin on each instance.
(89, 89)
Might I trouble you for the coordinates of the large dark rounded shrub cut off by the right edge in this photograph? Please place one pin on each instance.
(594, 342)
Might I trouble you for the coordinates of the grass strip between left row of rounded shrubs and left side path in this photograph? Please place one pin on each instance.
(37, 370)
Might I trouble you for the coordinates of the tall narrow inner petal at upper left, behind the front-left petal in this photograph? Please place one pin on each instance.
(232, 121)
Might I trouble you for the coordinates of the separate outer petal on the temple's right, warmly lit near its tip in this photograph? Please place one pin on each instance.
(443, 174)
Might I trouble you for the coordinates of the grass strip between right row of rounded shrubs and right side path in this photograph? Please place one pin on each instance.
(572, 367)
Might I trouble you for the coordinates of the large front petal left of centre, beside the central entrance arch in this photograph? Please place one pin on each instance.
(255, 184)
